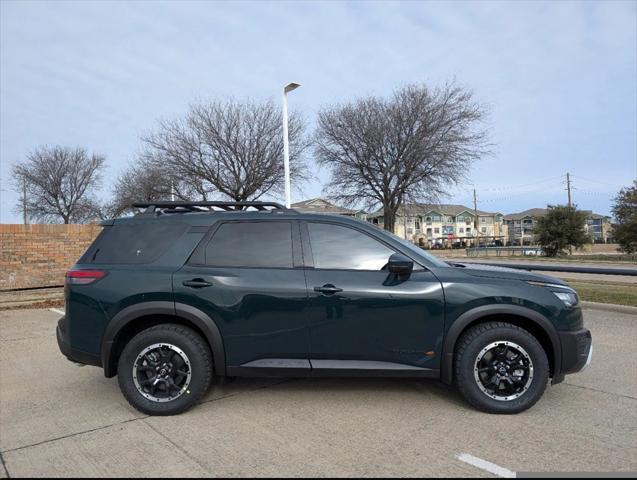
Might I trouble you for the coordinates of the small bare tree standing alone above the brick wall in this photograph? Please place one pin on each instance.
(59, 184)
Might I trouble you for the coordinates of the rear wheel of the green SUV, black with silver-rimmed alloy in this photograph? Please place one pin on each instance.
(165, 370)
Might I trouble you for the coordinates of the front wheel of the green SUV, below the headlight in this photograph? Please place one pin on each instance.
(500, 368)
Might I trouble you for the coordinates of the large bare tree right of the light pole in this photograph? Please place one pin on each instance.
(411, 147)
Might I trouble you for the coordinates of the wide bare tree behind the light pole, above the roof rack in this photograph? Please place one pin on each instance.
(230, 148)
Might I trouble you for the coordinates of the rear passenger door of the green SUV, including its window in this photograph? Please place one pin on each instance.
(248, 277)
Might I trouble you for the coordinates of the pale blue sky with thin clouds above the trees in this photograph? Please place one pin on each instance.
(559, 80)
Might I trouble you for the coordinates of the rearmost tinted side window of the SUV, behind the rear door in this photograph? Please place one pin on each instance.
(136, 243)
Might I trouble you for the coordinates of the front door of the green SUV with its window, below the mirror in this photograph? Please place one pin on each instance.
(359, 315)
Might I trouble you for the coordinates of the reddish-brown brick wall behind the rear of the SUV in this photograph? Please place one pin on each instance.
(39, 255)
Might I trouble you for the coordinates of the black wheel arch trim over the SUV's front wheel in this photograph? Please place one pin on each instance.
(534, 322)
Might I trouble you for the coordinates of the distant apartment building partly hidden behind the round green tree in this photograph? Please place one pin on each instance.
(520, 226)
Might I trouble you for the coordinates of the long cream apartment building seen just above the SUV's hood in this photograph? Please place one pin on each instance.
(445, 225)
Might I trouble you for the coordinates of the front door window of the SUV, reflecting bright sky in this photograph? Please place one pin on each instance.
(341, 248)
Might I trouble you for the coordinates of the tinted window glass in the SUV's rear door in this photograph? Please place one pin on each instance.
(256, 244)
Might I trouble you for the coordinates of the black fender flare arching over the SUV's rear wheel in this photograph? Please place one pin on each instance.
(191, 314)
